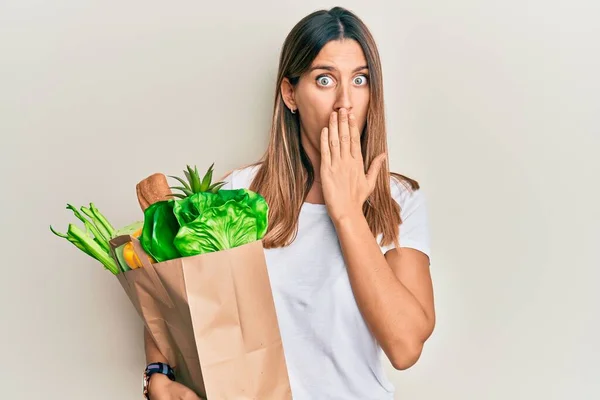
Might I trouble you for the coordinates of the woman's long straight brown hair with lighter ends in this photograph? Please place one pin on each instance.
(286, 174)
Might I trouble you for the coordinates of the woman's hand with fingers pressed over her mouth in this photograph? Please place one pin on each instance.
(345, 185)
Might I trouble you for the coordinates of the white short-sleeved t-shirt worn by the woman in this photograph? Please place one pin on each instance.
(330, 352)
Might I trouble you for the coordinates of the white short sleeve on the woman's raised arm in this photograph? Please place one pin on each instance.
(414, 229)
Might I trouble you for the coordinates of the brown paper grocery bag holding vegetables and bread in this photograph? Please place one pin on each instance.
(213, 317)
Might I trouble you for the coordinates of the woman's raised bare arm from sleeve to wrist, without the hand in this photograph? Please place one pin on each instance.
(394, 292)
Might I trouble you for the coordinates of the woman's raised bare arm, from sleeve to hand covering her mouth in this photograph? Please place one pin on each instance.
(392, 291)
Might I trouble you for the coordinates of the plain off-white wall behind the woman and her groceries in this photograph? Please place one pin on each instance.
(492, 105)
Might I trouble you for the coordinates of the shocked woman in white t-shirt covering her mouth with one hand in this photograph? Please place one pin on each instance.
(347, 251)
